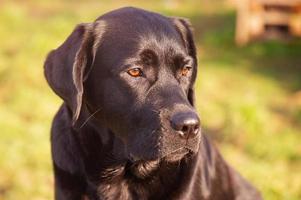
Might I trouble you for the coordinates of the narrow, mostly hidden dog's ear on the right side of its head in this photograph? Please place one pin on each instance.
(184, 28)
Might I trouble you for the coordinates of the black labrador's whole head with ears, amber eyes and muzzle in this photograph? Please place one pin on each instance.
(134, 71)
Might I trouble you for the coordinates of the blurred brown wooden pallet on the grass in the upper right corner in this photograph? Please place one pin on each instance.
(254, 17)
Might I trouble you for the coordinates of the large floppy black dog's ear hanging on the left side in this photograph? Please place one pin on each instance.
(67, 67)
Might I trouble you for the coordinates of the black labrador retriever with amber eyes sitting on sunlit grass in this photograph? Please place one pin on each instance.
(128, 128)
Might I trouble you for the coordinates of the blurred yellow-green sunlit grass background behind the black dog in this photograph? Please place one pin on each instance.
(249, 97)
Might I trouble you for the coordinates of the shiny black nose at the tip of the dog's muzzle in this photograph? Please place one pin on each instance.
(186, 124)
